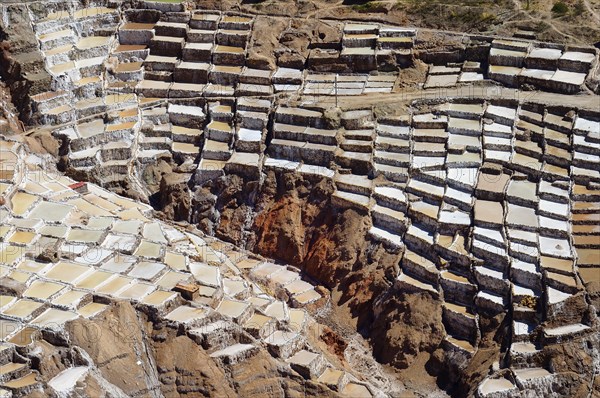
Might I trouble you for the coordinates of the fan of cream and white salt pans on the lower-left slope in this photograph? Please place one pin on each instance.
(110, 248)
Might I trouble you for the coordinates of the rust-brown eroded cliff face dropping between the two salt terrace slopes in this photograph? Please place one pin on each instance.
(291, 218)
